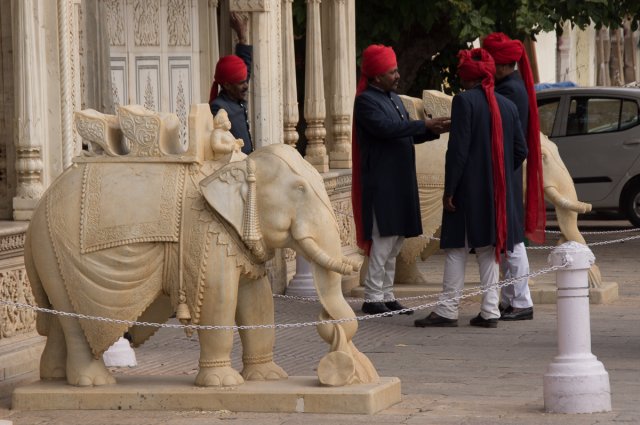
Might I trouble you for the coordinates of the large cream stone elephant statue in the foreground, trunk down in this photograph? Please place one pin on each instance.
(139, 238)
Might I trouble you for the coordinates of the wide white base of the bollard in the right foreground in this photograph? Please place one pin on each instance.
(577, 386)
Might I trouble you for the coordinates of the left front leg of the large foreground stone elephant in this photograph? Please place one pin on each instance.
(218, 308)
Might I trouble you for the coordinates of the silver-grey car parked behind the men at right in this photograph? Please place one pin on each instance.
(597, 131)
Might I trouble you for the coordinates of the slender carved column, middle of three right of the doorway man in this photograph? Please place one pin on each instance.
(314, 104)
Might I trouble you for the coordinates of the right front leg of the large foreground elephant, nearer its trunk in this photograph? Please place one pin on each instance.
(255, 307)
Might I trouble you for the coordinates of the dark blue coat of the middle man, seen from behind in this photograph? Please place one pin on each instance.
(469, 173)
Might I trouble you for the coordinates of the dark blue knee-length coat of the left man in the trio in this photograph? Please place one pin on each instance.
(385, 137)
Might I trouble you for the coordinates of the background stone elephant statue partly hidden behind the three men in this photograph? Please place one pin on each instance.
(430, 160)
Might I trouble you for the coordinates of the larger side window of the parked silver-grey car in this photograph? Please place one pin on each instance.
(591, 115)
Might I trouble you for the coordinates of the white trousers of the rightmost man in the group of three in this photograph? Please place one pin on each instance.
(515, 265)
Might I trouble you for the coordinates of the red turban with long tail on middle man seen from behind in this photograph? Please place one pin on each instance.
(477, 64)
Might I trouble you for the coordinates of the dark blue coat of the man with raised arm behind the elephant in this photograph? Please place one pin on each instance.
(237, 111)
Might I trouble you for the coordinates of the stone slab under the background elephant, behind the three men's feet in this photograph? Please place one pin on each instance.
(541, 293)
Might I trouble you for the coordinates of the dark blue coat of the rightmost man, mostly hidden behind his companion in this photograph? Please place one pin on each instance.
(512, 87)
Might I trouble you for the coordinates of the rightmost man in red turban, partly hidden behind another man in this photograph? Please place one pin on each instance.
(516, 303)
